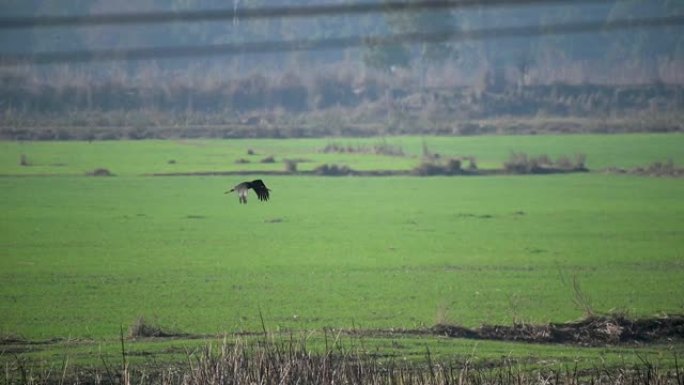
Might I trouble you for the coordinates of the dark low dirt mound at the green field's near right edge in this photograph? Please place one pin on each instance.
(593, 331)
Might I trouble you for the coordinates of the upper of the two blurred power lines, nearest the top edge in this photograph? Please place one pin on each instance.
(18, 22)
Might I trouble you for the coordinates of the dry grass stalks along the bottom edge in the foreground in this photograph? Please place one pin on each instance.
(277, 361)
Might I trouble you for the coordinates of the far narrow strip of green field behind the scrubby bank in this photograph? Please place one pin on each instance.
(153, 156)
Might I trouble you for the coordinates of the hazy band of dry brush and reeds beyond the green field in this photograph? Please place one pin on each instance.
(333, 103)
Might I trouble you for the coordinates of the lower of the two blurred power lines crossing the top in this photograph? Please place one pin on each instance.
(232, 49)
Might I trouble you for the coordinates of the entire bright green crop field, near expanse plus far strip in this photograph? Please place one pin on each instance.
(83, 256)
